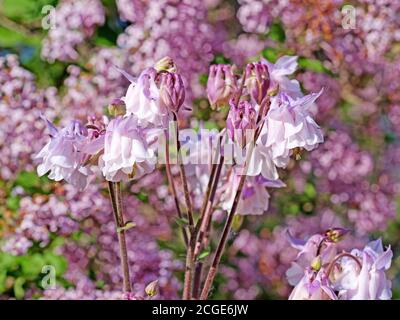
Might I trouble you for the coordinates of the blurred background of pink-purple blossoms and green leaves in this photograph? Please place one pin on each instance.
(352, 180)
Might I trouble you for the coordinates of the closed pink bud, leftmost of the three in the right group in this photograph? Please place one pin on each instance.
(221, 85)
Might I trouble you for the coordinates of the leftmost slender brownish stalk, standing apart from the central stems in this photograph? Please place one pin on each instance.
(114, 189)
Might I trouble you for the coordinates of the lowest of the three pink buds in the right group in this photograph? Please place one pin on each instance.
(241, 121)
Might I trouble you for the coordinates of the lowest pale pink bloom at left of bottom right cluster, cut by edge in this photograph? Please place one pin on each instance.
(313, 286)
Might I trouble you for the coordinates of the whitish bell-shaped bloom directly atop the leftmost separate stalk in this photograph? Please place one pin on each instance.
(126, 150)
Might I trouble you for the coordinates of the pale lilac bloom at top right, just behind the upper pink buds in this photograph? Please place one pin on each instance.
(279, 71)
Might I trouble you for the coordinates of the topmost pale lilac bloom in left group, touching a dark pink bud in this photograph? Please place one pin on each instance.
(142, 99)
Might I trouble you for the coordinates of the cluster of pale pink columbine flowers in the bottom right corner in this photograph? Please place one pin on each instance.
(320, 272)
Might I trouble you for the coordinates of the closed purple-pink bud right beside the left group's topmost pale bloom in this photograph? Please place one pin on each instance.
(172, 90)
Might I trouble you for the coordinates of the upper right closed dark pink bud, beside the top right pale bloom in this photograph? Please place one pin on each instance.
(257, 81)
